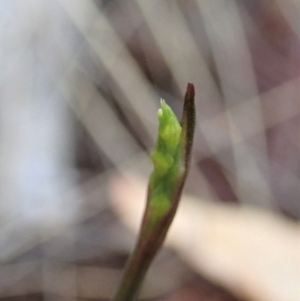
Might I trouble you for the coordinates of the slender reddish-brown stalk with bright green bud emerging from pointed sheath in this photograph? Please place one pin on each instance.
(171, 159)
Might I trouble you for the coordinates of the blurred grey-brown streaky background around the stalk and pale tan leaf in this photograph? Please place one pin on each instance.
(80, 87)
